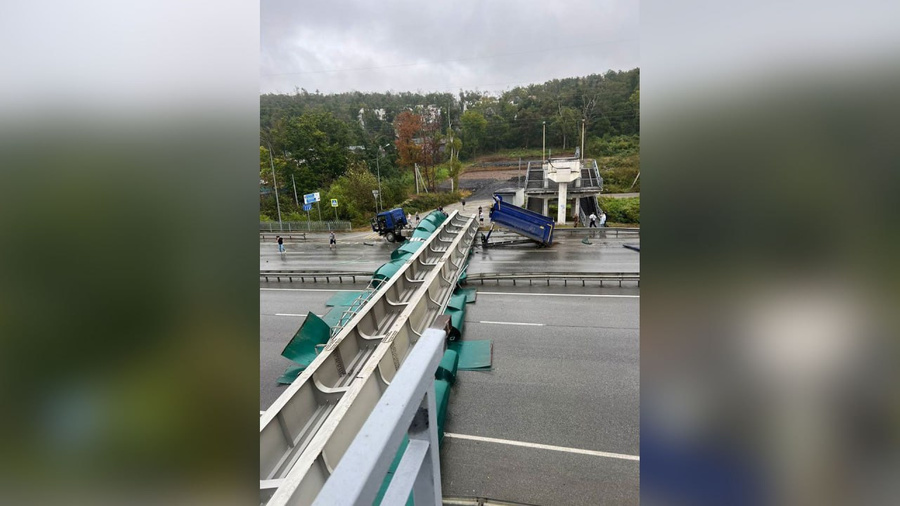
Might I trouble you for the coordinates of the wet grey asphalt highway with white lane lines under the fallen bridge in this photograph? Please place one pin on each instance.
(556, 420)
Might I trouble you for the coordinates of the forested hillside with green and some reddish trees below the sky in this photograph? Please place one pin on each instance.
(338, 144)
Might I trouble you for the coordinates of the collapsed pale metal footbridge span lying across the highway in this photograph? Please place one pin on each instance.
(307, 430)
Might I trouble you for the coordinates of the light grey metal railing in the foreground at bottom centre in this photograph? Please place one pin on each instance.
(408, 407)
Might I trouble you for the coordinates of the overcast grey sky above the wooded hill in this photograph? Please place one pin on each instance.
(436, 45)
